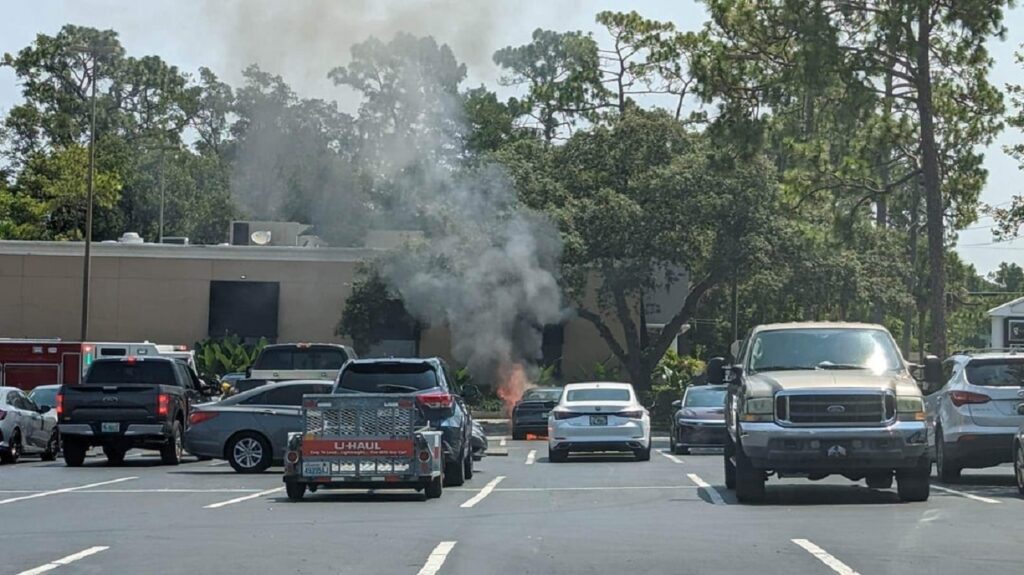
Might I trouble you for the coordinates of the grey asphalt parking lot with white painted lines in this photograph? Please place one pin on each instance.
(520, 515)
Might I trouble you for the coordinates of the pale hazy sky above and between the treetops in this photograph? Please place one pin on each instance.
(304, 39)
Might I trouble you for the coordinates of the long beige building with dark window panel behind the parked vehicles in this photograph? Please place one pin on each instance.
(185, 294)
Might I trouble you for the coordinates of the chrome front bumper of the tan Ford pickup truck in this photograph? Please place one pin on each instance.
(772, 447)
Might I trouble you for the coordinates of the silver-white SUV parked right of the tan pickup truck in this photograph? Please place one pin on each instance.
(977, 413)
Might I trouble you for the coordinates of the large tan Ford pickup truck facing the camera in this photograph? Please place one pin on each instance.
(818, 400)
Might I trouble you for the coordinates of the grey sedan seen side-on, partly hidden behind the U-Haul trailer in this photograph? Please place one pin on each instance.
(250, 429)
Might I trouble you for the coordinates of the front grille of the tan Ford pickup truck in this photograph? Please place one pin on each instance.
(836, 410)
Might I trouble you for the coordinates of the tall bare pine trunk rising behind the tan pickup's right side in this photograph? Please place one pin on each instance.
(934, 206)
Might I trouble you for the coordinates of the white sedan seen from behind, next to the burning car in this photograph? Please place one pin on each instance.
(599, 417)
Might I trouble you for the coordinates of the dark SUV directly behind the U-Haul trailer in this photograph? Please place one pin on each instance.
(440, 408)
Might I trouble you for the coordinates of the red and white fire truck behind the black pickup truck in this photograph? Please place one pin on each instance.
(27, 364)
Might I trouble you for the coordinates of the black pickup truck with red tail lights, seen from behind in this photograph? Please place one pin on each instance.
(133, 403)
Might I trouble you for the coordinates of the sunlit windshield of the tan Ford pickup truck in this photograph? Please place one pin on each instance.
(825, 349)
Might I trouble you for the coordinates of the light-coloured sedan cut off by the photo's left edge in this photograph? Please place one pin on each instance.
(25, 428)
